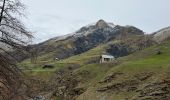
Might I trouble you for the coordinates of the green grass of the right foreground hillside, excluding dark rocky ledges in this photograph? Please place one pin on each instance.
(145, 61)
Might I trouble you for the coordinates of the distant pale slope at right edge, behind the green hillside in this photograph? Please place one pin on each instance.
(162, 34)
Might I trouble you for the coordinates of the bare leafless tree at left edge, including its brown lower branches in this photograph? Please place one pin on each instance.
(13, 34)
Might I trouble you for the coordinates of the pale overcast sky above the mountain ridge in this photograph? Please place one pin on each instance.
(52, 18)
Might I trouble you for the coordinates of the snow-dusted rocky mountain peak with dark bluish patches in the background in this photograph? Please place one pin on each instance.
(84, 39)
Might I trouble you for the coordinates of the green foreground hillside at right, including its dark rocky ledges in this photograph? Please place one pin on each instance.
(143, 75)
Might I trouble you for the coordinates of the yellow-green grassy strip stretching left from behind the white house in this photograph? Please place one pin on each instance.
(77, 59)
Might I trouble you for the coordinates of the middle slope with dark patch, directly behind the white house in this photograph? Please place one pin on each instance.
(116, 48)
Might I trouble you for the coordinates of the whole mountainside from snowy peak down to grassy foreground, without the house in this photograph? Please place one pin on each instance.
(139, 72)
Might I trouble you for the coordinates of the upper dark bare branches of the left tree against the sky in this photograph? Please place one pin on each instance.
(13, 32)
